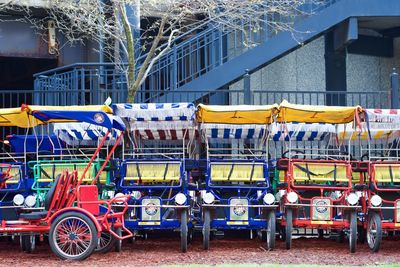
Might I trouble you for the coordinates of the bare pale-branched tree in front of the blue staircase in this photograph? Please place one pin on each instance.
(107, 22)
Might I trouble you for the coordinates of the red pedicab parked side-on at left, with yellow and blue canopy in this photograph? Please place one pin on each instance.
(73, 217)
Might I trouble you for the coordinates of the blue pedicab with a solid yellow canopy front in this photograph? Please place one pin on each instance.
(237, 193)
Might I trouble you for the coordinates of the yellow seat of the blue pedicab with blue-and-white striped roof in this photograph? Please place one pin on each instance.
(153, 172)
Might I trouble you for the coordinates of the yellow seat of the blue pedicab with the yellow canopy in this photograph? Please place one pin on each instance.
(237, 172)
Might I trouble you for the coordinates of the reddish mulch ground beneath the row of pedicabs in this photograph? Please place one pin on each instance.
(164, 251)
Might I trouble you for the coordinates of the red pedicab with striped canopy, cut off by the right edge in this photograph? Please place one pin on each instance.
(379, 140)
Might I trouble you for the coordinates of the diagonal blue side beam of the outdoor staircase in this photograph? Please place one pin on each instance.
(284, 43)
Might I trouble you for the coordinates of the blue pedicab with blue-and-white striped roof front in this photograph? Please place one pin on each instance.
(153, 169)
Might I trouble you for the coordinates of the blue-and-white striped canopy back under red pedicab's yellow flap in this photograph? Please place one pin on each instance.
(301, 131)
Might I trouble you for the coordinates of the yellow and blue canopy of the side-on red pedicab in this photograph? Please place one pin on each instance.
(31, 116)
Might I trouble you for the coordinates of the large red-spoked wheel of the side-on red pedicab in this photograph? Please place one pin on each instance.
(72, 237)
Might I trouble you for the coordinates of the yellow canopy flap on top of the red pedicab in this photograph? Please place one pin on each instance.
(323, 114)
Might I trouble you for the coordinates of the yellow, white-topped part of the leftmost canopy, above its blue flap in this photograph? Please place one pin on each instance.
(21, 117)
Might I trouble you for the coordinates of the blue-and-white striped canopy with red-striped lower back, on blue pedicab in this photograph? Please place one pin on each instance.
(160, 121)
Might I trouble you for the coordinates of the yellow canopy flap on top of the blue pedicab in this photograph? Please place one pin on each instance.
(236, 114)
